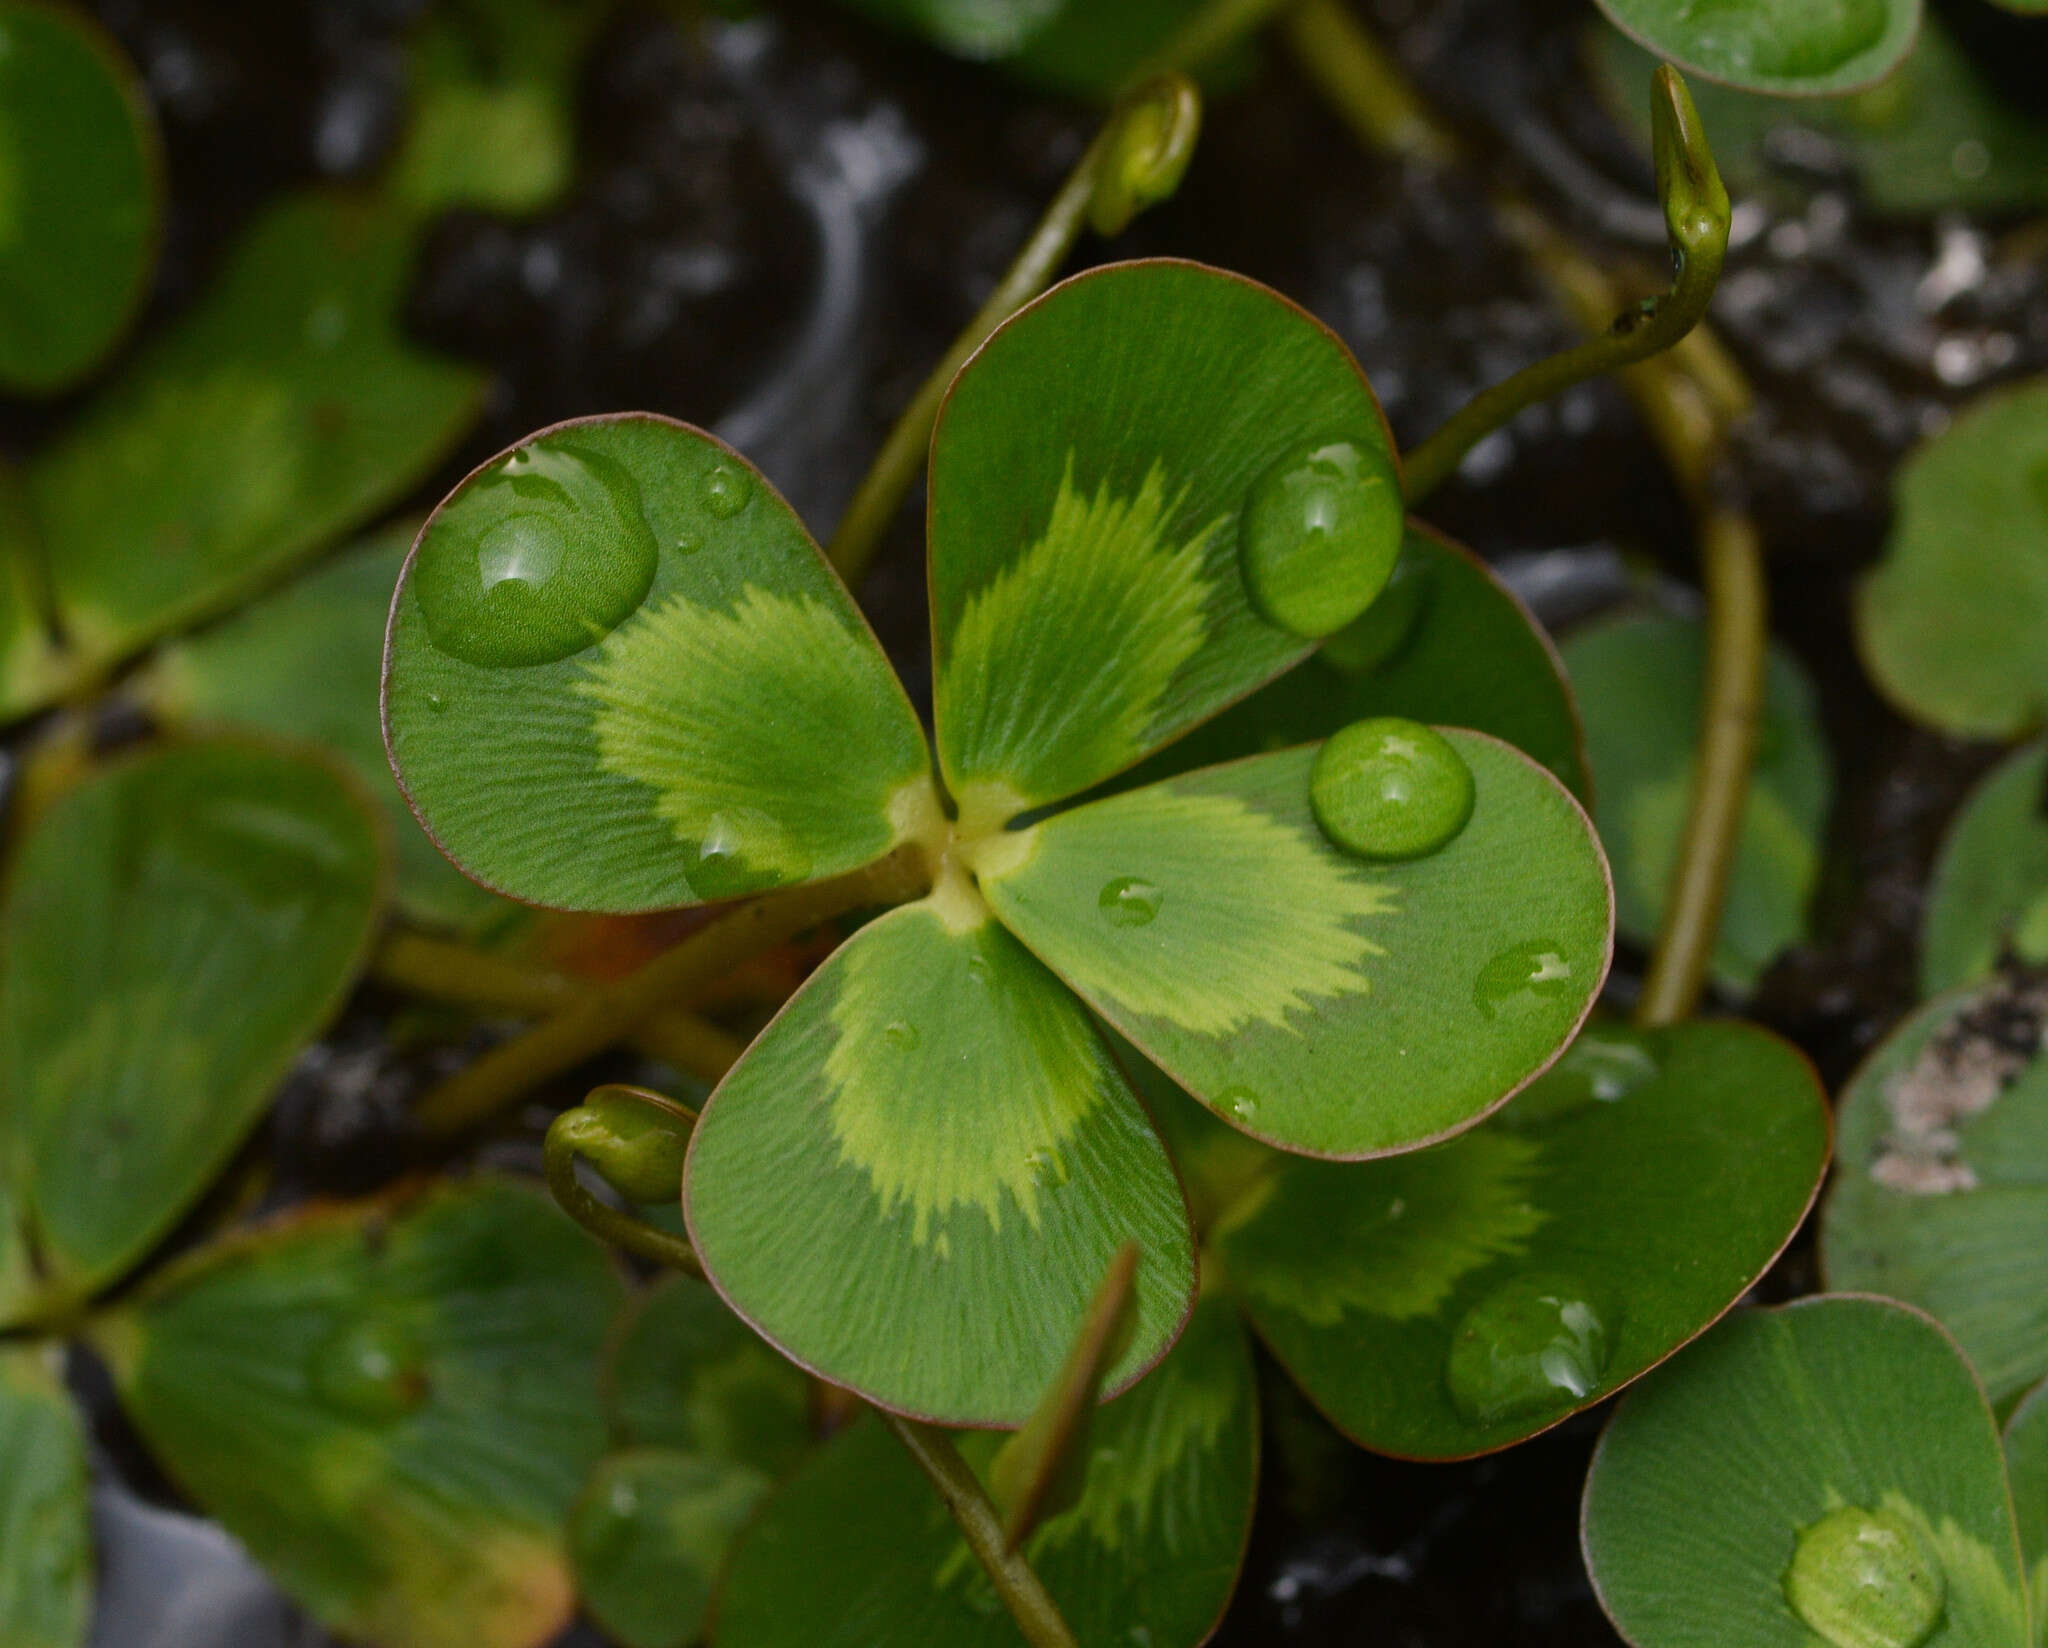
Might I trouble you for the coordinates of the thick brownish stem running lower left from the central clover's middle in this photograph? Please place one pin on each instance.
(613, 1012)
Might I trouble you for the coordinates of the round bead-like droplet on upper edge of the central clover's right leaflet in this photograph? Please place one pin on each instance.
(1392, 789)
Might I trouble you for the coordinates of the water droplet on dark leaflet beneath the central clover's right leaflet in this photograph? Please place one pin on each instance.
(1531, 1346)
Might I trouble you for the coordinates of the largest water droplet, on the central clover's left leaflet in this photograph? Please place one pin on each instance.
(538, 558)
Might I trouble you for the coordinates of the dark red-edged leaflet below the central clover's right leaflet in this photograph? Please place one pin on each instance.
(1650, 1178)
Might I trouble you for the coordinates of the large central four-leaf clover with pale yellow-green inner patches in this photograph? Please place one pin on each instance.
(622, 677)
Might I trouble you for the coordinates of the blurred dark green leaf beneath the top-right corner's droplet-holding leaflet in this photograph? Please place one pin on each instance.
(1932, 136)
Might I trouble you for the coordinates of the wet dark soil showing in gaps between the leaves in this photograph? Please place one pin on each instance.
(728, 183)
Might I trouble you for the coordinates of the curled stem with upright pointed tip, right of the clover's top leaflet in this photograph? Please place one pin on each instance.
(1697, 218)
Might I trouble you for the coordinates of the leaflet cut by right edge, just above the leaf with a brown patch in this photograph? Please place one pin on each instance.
(1990, 892)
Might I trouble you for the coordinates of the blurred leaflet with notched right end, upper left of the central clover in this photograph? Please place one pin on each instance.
(269, 421)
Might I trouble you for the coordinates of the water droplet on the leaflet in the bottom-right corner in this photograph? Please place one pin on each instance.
(1867, 1579)
